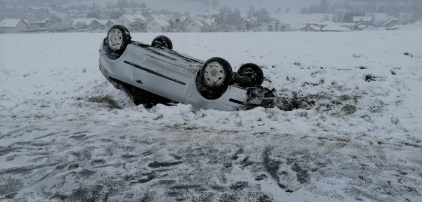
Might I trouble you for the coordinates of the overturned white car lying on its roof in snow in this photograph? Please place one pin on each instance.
(155, 73)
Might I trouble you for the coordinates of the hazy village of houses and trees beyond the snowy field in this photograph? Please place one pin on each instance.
(62, 16)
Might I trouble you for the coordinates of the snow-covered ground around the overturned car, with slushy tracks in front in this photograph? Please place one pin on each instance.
(358, 139)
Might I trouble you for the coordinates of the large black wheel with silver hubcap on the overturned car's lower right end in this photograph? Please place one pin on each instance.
(214, 78)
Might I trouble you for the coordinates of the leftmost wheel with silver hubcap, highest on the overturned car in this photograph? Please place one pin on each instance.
(118, 37)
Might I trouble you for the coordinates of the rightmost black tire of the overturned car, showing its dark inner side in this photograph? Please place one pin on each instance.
(254, 74)
